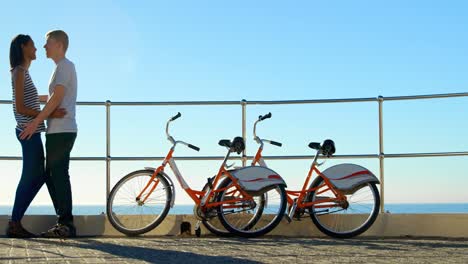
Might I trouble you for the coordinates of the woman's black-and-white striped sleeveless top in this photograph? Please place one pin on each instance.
(31, 100)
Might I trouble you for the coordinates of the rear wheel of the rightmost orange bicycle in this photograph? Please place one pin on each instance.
(344, 220)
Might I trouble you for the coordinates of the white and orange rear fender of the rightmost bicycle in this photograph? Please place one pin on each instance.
(348, 177)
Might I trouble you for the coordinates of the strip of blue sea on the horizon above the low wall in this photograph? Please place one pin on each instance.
(407, 208)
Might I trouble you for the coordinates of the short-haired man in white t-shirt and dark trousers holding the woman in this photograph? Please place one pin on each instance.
(60, 134)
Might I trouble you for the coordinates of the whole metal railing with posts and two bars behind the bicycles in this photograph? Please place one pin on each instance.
(244, 103)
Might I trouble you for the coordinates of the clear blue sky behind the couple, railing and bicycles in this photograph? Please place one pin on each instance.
(257, 50)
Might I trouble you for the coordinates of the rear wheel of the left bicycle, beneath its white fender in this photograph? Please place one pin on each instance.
(242, 219)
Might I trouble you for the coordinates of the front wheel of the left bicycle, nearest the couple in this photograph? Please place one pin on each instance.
(133, 217)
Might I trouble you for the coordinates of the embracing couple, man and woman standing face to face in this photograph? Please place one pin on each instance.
(61, 130)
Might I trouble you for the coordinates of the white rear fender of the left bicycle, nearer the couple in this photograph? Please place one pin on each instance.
(256, 178)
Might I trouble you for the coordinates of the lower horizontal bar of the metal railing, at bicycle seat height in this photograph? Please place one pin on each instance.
(292, 157)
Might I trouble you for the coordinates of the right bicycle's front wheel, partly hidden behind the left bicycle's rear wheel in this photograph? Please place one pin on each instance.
(213, 224)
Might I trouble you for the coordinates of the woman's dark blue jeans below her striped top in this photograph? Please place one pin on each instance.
(32, 175)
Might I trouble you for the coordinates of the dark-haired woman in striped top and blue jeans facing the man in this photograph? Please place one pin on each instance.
(25, 107)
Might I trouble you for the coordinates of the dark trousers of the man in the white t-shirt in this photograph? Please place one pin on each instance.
(58, 148)
